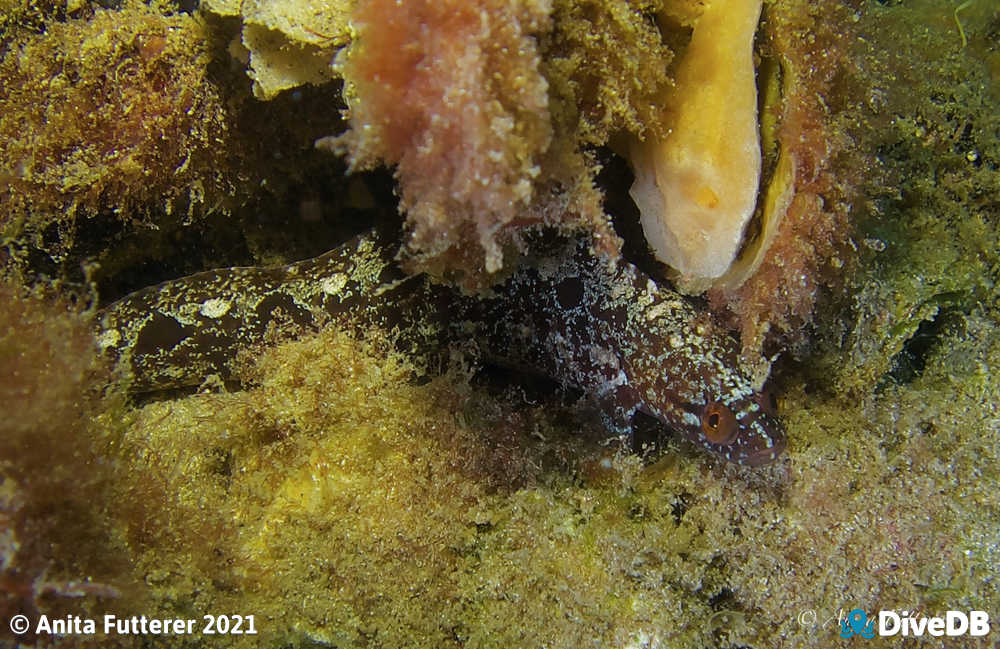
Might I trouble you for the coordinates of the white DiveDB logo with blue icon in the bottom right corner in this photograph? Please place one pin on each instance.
(891, 623)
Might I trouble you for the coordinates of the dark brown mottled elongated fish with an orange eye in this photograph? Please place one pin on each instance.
(605, 328)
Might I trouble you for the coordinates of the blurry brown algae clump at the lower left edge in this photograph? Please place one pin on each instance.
(59, 552)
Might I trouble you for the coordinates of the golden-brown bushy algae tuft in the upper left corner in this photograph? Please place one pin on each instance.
(114, 113)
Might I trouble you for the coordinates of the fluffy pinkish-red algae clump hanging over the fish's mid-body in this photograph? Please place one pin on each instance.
(465, 117)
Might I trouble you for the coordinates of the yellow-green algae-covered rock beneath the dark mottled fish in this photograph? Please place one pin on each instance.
(342, 505)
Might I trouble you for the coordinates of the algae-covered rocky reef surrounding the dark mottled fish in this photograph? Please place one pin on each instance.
(340, 502)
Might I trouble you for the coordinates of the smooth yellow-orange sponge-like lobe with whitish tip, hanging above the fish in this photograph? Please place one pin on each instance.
(697, 187)
